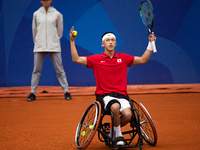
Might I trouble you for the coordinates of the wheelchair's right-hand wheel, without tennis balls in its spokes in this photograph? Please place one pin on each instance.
(147, 127)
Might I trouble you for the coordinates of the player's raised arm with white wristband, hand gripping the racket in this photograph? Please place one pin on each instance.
(147, 54)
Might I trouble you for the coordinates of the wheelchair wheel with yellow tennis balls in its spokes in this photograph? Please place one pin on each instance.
(88, 125)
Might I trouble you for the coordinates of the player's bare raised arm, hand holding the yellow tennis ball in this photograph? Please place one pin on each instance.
(75, 57)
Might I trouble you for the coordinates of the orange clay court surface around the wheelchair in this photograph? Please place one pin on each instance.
(50, 122)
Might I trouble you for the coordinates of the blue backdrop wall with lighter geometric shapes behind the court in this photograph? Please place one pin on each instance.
(176, 27)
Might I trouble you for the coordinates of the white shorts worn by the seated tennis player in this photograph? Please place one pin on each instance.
(123, 102)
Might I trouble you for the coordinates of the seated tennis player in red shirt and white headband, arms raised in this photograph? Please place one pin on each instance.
(110, 71)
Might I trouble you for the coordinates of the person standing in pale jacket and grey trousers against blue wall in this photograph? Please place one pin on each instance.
(47, 28)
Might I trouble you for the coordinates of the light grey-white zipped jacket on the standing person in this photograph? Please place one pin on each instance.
(47, 28)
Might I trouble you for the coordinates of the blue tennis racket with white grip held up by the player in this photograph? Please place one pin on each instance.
(147, 16)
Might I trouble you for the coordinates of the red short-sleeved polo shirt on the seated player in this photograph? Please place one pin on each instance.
(110, 74)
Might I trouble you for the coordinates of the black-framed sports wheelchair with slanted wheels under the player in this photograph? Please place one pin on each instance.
(95, 118)
